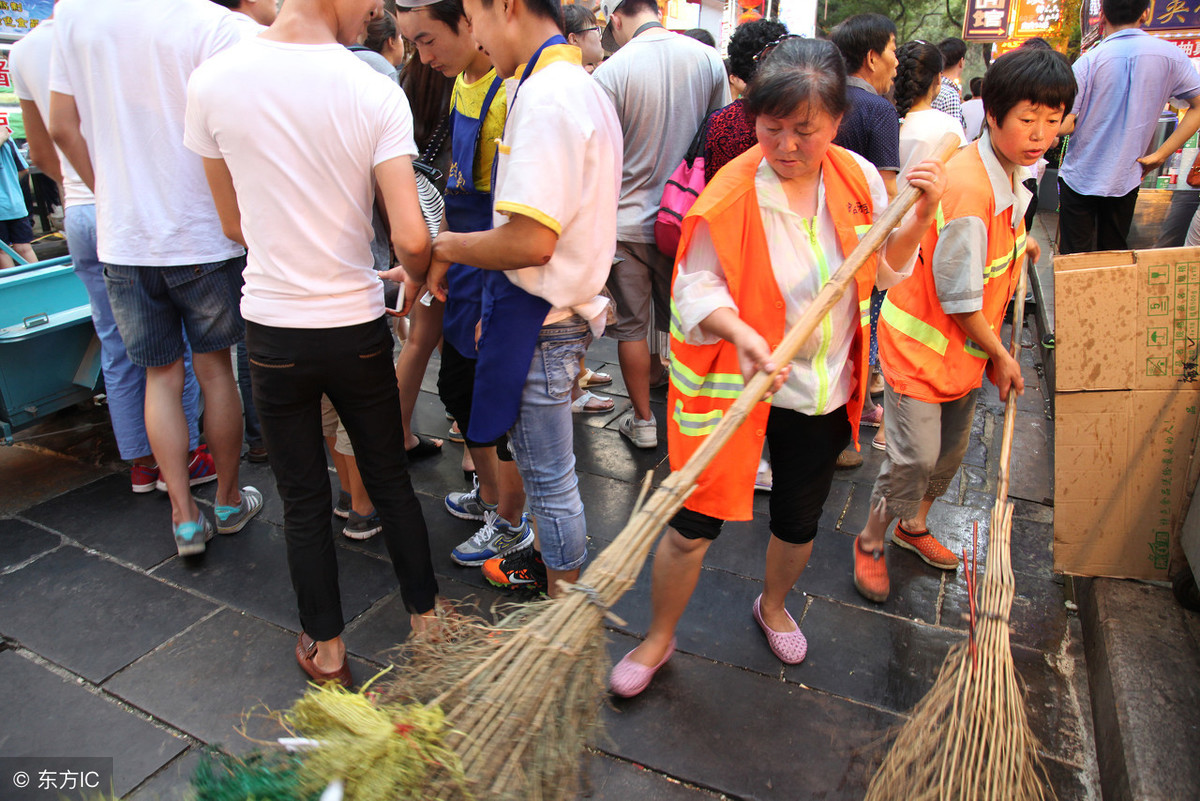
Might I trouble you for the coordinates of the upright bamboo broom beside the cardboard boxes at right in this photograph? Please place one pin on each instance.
(969, 738)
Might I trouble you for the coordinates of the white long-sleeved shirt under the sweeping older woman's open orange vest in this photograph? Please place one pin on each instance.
(805, 255)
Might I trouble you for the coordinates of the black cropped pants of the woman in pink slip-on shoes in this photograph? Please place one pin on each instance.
(803, 457)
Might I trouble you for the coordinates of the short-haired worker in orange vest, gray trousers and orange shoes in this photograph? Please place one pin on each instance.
(940, 329)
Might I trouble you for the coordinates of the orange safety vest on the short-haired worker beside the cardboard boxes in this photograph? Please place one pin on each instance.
(925, 353)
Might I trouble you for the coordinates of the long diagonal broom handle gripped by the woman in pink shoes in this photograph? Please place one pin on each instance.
(796, 338)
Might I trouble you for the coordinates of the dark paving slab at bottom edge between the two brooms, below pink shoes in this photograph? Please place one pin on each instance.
(748, 736)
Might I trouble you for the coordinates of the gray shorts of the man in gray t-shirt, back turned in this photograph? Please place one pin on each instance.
(640, 285)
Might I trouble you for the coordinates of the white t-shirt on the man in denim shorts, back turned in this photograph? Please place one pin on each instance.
(127, 64)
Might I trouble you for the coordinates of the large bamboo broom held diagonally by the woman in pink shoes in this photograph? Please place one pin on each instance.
(521, 697)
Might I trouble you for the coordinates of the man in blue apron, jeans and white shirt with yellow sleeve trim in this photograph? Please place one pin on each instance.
(547, 261)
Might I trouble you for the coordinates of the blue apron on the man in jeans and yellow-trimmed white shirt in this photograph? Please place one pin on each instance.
(507, 348)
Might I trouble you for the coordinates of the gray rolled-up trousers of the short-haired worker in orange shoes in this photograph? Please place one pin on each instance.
(926, 447)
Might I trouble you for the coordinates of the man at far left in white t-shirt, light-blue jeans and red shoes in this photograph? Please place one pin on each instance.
(124, 382)
